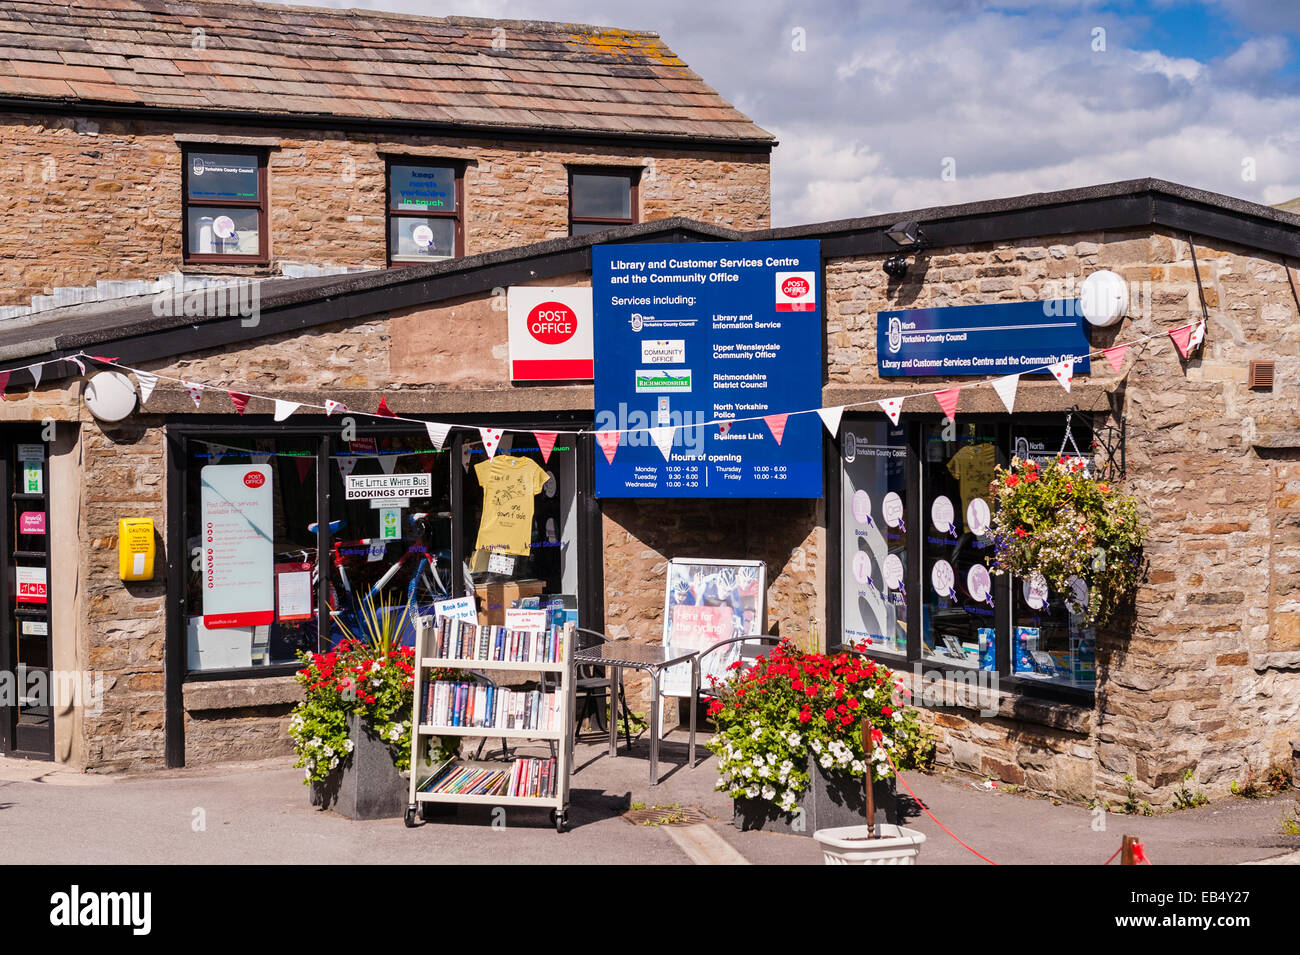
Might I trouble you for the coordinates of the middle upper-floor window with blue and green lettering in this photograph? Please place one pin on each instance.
(426, 202)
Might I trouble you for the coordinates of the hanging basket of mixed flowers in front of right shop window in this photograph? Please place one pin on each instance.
(1081, 537)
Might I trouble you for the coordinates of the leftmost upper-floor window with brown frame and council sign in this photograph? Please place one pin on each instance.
(226, 206)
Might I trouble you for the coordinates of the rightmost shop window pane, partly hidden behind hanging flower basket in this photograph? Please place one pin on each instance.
(1051, 641)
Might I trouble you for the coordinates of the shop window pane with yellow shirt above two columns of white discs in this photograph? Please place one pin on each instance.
(957, 610)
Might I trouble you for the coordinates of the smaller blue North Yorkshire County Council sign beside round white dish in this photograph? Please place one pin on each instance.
(1007, 338)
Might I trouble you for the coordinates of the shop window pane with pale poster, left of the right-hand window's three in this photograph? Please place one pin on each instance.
(876, 536)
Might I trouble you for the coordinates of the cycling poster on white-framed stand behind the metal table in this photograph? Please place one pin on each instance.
(708, 602)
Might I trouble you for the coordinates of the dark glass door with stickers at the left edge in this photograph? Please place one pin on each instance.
(27, 650)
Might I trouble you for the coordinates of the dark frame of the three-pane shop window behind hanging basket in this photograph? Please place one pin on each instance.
(915, 570)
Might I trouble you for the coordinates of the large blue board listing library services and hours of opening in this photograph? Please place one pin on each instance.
(720, 332)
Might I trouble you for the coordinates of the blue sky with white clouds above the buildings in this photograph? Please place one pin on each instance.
(904, 105)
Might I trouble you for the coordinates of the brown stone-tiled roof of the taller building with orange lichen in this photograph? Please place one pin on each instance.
(278, 60)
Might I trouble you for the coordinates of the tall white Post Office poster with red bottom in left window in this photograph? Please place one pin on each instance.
(239, 546)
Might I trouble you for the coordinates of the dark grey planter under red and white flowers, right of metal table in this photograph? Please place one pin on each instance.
(831, 801)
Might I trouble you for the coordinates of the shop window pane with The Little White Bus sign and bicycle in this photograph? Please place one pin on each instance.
(391, 557)
